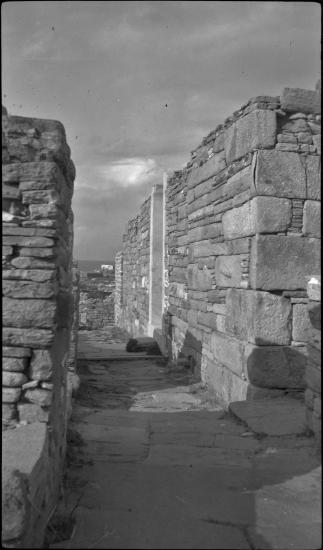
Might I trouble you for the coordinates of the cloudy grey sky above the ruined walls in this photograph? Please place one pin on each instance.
(138, 84)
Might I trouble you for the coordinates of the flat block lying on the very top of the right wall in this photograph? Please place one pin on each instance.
(299, 100)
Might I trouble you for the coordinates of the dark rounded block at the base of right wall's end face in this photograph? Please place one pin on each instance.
(276, 366)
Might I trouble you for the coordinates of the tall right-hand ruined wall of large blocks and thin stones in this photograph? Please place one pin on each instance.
(242, 246)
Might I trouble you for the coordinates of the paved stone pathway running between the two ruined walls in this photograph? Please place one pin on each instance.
(152, 463)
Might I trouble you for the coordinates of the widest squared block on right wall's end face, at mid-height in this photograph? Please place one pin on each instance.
(279, 262)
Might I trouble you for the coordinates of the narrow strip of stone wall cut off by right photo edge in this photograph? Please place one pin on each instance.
(313, 367)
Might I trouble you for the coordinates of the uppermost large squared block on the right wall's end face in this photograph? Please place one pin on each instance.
(280, 174)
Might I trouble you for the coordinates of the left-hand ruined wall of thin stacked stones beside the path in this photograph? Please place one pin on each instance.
(37, 226)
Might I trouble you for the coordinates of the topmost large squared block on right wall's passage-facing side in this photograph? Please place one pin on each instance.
(256, 130)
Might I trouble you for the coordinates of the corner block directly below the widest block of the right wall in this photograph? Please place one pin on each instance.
(258, 317)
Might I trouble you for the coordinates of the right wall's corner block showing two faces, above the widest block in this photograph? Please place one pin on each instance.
(260, 215)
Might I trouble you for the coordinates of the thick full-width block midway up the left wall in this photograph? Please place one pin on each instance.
(29, 313)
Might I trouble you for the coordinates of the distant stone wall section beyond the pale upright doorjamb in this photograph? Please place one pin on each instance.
(135, 282)
